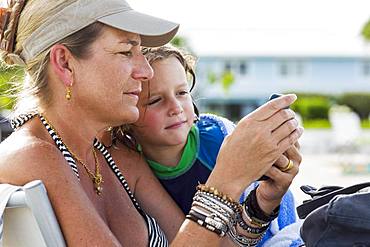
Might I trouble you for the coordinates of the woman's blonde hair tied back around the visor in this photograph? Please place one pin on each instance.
(34, 92)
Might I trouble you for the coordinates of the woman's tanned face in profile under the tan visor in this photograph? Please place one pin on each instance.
(107, 84)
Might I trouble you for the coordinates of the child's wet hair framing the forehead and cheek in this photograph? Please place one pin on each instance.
(122, 133)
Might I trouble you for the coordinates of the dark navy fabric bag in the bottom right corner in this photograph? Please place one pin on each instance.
(344, 221)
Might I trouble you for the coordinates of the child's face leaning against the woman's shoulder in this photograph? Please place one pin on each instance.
(166, 112)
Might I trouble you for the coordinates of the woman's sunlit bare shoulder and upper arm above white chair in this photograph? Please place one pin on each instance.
(25, 158)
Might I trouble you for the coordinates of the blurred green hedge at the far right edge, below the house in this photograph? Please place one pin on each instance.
(358, 102)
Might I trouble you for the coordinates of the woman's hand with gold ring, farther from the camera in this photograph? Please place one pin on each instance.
(271, 191)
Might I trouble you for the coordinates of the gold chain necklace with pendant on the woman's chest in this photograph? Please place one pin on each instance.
(96, 177)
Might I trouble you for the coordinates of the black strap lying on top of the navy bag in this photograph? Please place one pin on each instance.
(320, 198)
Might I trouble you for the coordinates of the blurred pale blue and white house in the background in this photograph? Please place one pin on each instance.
(267, 62)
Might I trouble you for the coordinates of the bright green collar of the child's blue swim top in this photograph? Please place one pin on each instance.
(187, 159)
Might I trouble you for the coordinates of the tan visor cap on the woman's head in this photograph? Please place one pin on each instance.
(81, 13)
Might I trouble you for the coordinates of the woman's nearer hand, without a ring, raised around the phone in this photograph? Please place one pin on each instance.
(257, 142)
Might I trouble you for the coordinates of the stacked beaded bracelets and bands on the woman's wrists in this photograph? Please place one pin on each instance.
(221, 215)
